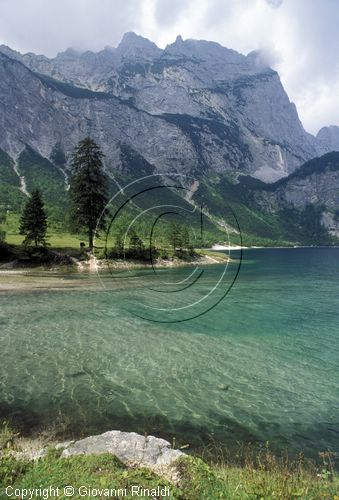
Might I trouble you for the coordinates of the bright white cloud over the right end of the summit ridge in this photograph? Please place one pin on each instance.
(297, 38)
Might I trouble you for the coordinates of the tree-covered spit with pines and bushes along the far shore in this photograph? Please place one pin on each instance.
(87, 199)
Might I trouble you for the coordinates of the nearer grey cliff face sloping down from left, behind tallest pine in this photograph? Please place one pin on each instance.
(36, 112)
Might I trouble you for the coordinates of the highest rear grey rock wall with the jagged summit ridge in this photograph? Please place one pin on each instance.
(200, 79)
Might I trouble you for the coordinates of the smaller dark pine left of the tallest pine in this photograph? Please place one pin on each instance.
(33, 222)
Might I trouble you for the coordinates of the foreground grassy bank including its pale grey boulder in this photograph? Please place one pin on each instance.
(156, 467)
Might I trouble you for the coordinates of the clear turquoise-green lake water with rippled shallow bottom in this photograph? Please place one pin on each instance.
(262, 365)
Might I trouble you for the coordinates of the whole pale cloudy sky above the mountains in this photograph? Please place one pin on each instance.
(300, 37)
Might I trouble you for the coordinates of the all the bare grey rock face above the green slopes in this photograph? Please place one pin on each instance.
(193, 107)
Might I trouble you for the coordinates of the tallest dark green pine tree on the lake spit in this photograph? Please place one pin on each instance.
(88, 189)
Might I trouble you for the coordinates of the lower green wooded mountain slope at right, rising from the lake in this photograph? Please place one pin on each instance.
(302, 208)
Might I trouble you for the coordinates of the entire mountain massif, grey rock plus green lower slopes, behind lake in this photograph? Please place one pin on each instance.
(195, 108)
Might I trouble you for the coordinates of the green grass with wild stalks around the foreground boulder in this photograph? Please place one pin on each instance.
(264, 477)
